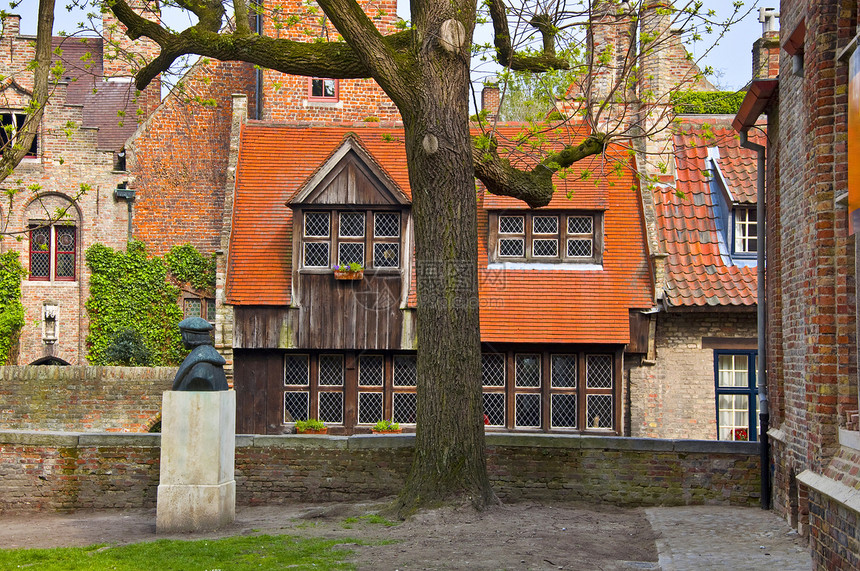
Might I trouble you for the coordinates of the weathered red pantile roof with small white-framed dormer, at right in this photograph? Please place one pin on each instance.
(697, 272)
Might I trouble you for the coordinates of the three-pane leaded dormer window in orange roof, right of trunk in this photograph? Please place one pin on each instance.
(546, 237)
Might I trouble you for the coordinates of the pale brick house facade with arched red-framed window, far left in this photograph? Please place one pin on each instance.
(78, 143)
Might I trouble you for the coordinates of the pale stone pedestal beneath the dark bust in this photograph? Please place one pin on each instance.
(197, 490)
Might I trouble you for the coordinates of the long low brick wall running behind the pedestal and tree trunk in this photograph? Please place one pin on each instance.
(64, 471)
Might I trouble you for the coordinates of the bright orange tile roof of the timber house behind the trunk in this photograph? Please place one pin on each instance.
(532, 306)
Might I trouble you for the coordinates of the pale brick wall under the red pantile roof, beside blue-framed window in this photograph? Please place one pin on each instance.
(675, 398)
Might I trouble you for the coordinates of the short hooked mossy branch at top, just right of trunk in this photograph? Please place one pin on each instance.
(545, 61)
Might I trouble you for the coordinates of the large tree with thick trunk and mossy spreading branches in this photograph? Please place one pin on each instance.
(426, 70)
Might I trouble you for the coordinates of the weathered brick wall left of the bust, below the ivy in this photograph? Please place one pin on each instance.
(82, 399)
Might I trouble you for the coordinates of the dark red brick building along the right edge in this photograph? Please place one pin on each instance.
(811, 283)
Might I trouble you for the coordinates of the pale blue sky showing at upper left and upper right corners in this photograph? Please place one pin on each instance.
(732, 58)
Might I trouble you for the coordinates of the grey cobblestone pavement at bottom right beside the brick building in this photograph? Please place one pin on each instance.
(704, 538)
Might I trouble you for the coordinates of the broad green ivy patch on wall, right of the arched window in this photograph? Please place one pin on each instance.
(130, 292)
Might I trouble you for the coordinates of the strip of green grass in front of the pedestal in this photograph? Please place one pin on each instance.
(232, 553)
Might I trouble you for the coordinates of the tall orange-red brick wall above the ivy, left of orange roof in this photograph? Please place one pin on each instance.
(179, 159)
